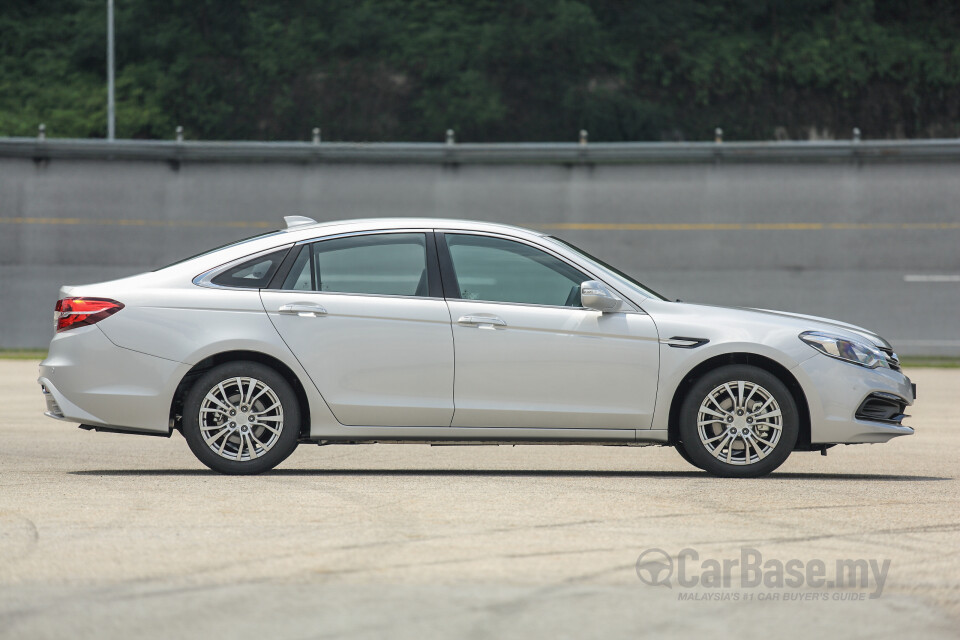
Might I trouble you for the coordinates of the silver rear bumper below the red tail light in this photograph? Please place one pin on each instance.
(88, 379)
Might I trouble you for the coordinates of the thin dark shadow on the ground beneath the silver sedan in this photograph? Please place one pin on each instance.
(523, 473)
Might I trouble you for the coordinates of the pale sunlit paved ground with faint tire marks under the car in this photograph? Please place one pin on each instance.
(116, 536)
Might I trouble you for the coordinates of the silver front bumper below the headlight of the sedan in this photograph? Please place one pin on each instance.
(837, 390)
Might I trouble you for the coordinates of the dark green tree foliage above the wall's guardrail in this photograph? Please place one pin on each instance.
(537, 70)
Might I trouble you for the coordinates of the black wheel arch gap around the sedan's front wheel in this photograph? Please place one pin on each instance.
(756, 360)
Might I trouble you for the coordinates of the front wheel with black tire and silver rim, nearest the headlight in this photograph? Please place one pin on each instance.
(769, 418)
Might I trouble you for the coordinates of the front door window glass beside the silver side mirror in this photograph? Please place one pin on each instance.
(505, 271)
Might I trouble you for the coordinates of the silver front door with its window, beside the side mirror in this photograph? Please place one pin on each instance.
(528, 355)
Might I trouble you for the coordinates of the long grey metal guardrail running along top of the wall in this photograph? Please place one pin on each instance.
(42, 148)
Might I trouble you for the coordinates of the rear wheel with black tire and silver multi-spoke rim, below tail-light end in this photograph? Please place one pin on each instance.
(258, 446)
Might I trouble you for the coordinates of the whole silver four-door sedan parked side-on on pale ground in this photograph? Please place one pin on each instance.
(445, 331)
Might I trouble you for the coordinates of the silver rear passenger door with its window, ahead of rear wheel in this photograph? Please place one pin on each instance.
(365, 316)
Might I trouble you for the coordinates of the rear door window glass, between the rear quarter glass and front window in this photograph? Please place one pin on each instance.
(379, 264)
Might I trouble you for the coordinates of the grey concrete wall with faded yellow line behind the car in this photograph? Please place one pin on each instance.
(856, 241)
